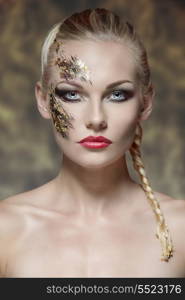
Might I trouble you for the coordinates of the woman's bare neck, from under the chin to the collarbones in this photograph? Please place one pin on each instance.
(91, 190)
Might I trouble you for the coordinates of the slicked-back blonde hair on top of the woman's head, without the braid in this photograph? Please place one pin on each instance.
(97, 24)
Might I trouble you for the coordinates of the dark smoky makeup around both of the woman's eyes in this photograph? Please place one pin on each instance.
(61, 94)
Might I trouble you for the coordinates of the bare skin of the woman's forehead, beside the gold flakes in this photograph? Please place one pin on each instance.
(106, 60)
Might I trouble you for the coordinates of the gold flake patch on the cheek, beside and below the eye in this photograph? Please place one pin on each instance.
(60, 117)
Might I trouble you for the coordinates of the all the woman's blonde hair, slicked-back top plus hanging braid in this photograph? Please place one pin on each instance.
(102, 24)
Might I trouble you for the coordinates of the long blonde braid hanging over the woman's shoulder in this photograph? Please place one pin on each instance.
(162, 230)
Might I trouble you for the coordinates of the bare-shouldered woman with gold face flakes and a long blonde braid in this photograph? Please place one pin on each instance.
(93, 219)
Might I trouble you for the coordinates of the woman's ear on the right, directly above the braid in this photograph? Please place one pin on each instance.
(147, 106)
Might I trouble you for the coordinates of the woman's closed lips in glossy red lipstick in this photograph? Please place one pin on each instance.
(95, 142)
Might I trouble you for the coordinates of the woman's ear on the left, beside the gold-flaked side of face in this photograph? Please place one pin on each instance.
(42, 101)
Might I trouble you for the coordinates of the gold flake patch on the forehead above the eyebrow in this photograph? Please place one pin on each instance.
(71, 68)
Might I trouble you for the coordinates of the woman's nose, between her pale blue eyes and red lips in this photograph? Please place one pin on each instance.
(96, 118)
